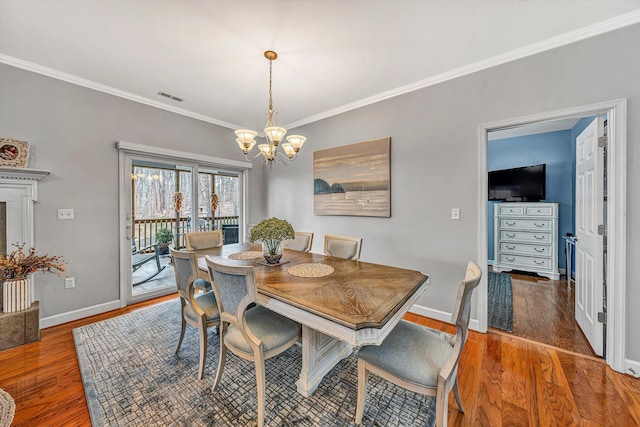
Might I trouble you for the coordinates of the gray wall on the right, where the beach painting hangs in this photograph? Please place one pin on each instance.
(434, 157)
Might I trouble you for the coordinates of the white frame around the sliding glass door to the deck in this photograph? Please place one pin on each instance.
(127, 152)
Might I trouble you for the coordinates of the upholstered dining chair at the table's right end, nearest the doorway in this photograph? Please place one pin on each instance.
(419, 359)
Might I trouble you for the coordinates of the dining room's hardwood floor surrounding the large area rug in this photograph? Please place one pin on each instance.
(504, 381)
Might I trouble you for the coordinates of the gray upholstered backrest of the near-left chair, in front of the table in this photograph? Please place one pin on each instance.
(235, 288)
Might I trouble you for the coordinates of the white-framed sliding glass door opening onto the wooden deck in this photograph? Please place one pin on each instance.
(165, 194)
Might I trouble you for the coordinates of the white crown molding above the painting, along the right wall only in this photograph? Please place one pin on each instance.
(523, 52)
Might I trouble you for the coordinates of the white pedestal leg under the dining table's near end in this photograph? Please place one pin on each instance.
(320, 353)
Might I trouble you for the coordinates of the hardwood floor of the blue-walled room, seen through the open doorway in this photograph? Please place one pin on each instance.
(544, 311)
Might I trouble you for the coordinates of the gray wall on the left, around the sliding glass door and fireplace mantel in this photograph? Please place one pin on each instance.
(72, 131)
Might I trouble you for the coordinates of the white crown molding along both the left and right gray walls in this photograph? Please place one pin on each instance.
(608, 25)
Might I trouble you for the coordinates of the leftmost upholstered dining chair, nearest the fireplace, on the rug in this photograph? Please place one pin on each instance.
(201, 310)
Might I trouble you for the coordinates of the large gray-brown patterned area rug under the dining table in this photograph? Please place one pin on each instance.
(133, 377)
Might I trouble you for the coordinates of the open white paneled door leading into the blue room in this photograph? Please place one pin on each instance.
(589, 250)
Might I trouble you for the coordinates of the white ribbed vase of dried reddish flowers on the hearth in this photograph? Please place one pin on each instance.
(15, 269)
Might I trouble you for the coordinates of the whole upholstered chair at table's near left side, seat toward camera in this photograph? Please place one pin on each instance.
(254, 334)
